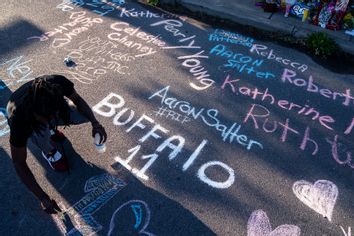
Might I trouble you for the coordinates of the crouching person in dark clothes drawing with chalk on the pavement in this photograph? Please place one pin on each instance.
(34, 111)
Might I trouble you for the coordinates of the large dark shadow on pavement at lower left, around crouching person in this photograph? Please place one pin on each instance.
(127, 213)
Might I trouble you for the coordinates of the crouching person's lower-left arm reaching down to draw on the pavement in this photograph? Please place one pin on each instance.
(19, 156)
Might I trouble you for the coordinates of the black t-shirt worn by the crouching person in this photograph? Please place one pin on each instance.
(20, 124)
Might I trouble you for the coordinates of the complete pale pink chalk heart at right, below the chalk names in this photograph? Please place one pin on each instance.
(320, 196)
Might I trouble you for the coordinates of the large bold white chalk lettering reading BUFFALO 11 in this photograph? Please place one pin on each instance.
(108, 106)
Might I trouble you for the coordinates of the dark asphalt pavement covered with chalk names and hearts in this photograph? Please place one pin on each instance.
(210, 132)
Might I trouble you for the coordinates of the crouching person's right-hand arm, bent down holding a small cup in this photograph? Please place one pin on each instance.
(85, 109)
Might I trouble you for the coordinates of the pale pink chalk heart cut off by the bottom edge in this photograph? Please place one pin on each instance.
(259, 225)
